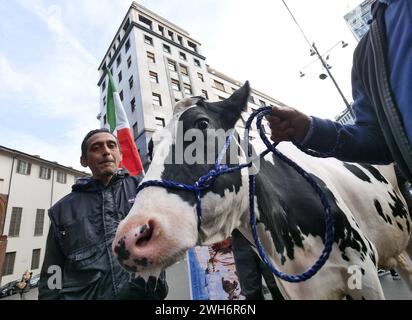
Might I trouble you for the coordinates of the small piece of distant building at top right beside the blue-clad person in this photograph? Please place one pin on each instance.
(358, 18)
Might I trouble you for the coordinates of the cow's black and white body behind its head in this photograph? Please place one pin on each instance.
(292, 223)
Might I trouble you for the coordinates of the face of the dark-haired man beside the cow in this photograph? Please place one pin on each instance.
(103, 156)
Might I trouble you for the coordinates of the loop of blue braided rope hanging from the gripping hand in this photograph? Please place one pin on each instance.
(330, 221)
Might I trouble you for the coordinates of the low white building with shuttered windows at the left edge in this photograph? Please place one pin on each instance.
(29, 186)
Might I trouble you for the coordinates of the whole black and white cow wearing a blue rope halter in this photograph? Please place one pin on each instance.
(372, 227)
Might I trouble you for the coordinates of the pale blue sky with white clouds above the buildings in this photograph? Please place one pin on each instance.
(51, 49)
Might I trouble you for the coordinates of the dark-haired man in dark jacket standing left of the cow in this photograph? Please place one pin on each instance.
(78, 263)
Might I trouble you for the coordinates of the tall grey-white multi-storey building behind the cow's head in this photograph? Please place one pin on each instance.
(155, 63)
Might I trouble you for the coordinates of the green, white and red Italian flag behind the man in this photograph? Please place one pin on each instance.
(119, 126)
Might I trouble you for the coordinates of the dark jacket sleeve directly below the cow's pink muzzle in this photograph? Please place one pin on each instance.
(138, 289)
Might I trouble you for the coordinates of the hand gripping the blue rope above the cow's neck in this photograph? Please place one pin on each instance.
(288, 124)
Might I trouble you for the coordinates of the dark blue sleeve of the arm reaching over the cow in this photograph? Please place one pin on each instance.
(361, 142)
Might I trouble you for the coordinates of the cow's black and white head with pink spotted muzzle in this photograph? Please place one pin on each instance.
(162, 223)
